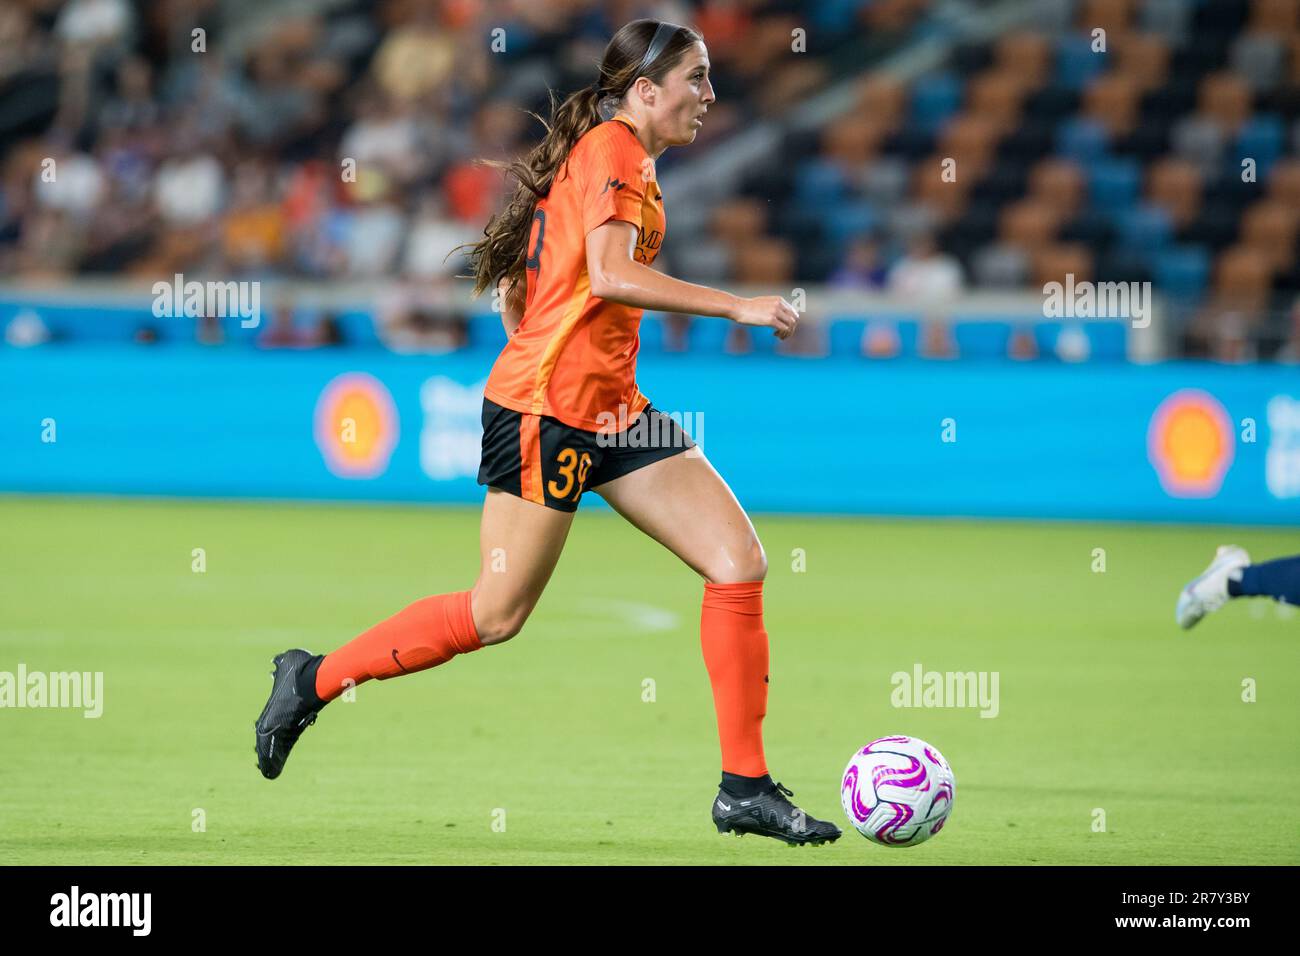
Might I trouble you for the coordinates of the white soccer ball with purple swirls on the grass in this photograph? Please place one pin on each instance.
(898, 791)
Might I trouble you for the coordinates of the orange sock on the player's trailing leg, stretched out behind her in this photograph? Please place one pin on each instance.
(423, 635)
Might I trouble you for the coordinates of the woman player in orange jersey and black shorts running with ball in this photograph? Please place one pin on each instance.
(571, 257)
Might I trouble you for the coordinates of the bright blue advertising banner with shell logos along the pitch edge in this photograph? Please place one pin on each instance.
(1168, 443)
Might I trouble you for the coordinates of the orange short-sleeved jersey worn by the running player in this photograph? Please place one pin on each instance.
(575, 356)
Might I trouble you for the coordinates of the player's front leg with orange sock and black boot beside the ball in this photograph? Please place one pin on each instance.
(683, 504)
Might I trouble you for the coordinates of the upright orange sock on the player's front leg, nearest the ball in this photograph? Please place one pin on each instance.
(735, 646)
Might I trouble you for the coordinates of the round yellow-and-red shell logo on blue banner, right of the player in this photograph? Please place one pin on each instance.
(1190, 443)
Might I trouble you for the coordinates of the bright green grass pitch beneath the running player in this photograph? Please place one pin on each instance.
(1104, 703)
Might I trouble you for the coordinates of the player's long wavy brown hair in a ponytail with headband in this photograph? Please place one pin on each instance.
(504, 248)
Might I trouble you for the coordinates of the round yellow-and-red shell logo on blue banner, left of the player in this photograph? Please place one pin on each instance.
(356, 426)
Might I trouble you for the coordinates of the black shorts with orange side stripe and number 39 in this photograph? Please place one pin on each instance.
(541, 460)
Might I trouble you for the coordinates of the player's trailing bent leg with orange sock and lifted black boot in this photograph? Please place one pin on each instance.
(519, 547)
